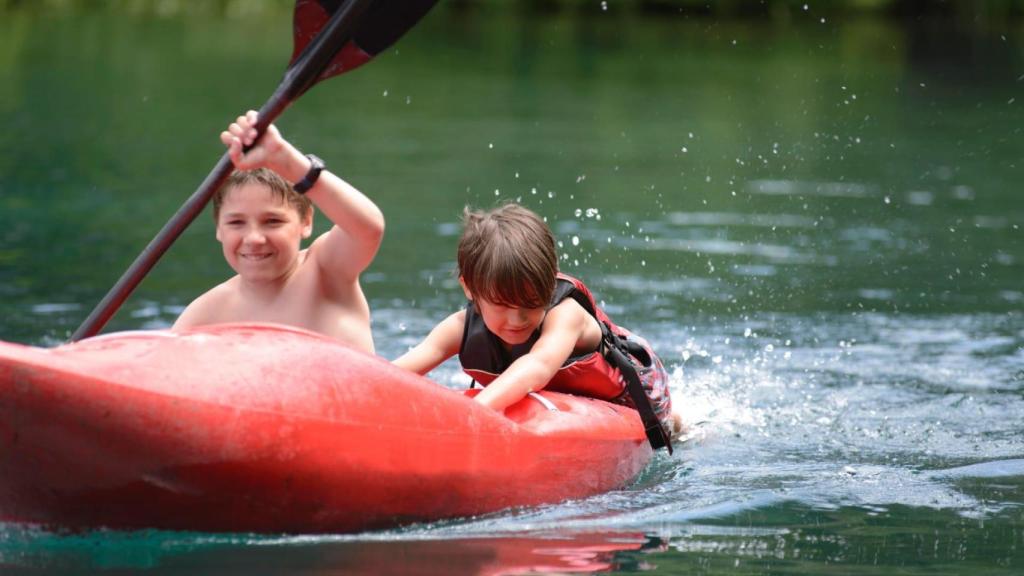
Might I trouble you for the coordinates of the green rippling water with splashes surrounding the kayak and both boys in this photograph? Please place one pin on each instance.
(819, 226)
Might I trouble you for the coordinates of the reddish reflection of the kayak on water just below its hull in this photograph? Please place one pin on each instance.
(169, 553)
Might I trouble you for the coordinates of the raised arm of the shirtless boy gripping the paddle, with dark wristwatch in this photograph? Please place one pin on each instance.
(349, 248)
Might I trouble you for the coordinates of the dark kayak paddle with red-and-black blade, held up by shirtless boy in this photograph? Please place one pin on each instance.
(331, 37)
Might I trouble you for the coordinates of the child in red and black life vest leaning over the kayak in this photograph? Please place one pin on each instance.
(528, 327)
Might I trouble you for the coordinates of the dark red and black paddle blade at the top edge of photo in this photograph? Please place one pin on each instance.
(385, 23)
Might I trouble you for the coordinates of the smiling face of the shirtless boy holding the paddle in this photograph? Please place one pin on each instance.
(261, 234)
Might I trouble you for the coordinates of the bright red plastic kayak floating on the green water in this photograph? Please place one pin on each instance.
(266, 429)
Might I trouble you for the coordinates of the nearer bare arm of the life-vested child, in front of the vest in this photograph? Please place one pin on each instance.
(564, 326)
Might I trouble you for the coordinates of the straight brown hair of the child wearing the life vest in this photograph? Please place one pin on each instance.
(507, 257)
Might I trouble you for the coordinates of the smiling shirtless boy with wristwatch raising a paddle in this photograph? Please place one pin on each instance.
(262, 221)
